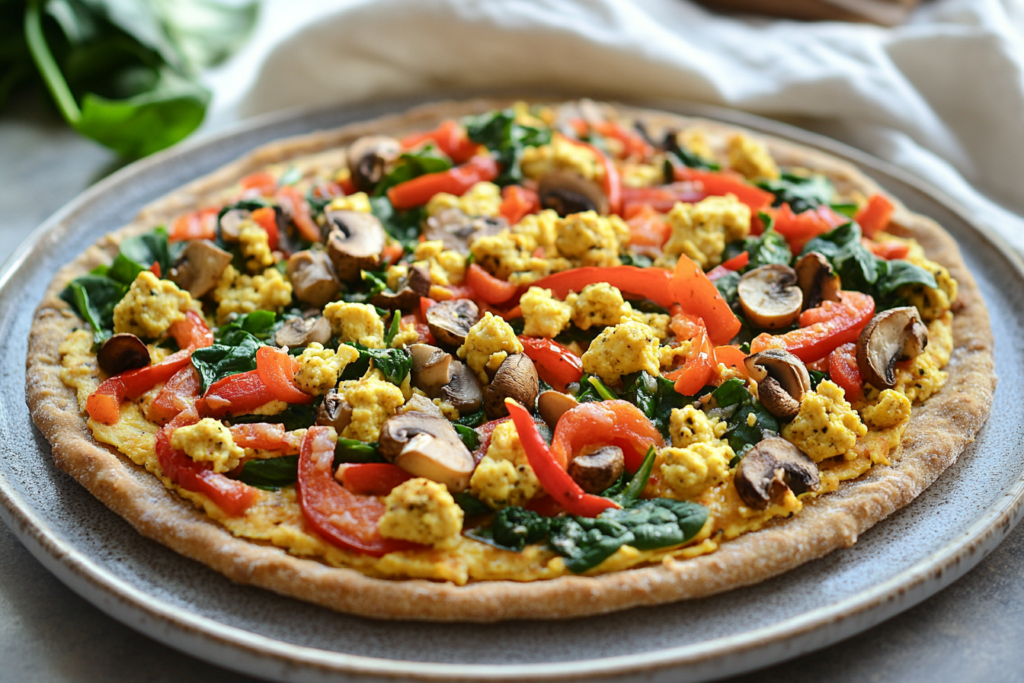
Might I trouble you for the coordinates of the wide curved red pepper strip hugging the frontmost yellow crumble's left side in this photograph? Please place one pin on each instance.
(344, 519)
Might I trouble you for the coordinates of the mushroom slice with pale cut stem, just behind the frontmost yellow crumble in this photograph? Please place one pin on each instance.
(430, 447)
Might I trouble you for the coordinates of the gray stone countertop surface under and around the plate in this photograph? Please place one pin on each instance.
(971, 631)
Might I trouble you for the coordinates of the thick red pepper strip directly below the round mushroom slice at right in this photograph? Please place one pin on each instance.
(823, 329)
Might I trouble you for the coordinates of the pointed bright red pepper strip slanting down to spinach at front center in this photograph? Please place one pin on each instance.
(553, 478)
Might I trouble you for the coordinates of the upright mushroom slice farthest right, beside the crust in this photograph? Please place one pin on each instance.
(893, 335)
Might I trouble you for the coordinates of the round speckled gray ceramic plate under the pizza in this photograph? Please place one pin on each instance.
(905, 560)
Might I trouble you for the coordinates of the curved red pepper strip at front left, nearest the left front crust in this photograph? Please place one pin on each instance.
(231, 496)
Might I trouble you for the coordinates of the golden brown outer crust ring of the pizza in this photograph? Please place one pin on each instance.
(938, 434)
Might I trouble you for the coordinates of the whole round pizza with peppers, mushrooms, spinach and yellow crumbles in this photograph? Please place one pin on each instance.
(492, 360)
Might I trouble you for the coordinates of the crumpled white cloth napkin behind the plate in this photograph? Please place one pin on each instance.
(942, 97)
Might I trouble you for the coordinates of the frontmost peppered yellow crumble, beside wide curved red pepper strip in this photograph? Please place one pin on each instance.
(422, 511)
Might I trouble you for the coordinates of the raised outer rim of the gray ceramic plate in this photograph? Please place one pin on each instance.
(221, 645)
